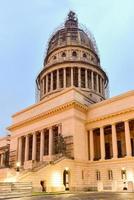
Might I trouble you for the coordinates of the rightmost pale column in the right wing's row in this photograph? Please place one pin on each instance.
(127, 139)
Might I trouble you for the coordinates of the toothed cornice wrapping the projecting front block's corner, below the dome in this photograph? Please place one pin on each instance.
(51, 112)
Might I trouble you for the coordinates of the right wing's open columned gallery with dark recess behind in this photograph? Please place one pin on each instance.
(111, 141)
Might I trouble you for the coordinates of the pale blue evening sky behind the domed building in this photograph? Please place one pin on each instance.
(25, 28)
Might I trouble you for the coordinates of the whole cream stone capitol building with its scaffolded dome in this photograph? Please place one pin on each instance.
(74, 137)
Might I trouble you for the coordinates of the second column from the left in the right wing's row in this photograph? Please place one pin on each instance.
(102, 143)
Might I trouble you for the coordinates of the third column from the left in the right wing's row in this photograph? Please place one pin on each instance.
(114, 141)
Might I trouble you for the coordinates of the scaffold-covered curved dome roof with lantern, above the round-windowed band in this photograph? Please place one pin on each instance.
(71, 34)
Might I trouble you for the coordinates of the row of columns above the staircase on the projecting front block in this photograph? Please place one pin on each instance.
(36, 143)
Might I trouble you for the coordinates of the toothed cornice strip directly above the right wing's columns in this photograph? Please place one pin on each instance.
(110, 115)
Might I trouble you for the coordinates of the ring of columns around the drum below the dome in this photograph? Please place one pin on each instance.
(72, 76)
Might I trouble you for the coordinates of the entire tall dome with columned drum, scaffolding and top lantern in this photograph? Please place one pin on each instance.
(72, 61)
